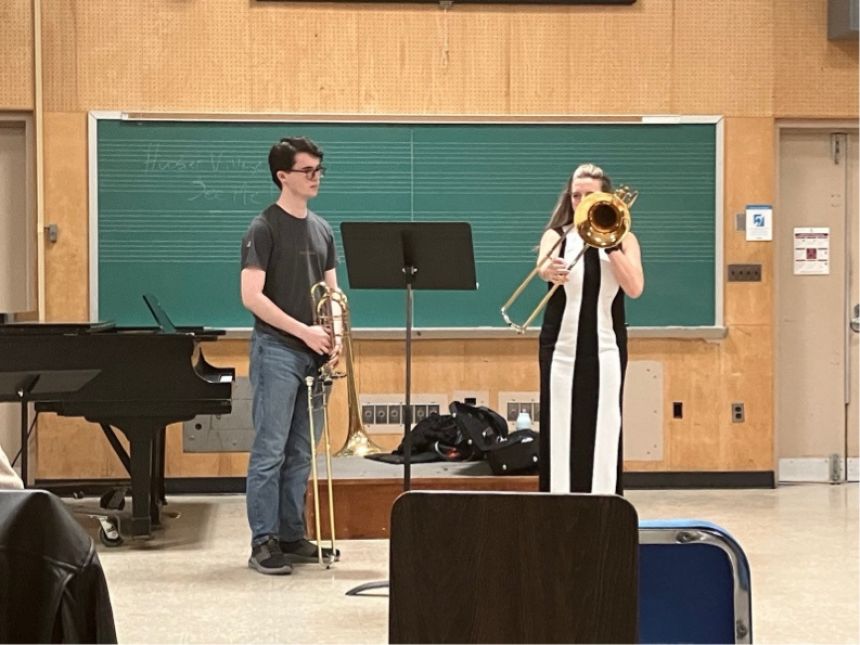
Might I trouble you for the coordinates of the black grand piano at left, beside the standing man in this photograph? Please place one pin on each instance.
(134, 379)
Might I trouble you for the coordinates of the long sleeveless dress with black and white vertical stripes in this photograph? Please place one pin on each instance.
(583, 358)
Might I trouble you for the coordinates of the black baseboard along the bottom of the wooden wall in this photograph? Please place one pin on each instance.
(221, 485)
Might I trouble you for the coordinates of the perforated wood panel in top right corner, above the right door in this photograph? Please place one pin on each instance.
(812, 77)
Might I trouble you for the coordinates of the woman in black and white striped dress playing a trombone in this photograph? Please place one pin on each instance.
(583, 347)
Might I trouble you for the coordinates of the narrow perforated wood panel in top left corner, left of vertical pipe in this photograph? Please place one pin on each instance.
(16, 52)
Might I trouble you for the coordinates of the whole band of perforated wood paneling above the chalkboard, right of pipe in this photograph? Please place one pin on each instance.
(657, 57)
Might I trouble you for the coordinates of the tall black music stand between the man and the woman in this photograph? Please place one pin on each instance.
(409, 256)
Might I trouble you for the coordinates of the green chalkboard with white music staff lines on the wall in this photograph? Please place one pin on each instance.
(173, 199)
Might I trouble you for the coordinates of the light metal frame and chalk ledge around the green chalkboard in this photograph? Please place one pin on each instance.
(716, 330)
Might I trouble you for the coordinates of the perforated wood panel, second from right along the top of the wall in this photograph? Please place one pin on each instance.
(723, 57)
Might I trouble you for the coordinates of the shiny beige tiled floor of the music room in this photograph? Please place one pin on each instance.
(191, 584)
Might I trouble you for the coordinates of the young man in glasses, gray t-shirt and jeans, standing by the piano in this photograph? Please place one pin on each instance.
(286, 250)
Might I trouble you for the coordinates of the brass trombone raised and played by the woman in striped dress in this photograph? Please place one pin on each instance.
(602, 220)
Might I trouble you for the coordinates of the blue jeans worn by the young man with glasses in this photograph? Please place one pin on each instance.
(281, 455)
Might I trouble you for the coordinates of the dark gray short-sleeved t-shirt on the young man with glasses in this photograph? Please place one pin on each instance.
(295, 253)
